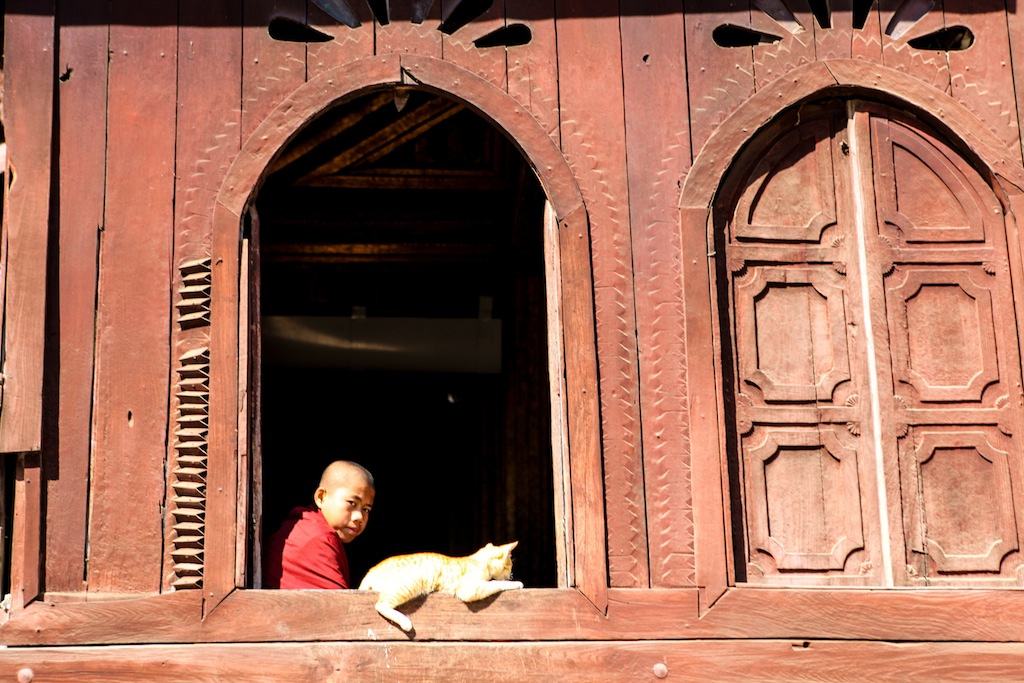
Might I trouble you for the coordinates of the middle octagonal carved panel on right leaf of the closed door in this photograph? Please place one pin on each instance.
(943, 333)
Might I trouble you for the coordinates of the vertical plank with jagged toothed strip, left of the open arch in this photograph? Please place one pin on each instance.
(208, 140)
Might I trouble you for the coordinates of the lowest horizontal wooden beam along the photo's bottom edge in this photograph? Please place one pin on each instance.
(783, 661)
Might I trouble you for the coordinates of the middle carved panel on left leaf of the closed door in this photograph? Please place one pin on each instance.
(792, 325)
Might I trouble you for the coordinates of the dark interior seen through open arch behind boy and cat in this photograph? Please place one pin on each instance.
(403, 315)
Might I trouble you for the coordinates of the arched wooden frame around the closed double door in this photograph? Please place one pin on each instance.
(711, 167)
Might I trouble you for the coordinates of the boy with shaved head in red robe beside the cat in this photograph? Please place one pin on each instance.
(309, 550)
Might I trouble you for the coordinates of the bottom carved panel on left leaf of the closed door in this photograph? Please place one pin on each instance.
(804, 500)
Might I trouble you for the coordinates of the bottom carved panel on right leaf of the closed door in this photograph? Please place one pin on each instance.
(963, 521)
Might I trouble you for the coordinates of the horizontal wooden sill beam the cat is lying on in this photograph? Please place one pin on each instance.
(531, 615)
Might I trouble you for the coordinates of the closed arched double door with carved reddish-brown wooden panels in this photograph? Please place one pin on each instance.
(873, 368)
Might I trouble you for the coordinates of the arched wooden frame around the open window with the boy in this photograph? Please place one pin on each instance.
(239, 190)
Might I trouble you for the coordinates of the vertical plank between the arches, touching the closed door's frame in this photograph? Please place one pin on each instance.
(658, 157)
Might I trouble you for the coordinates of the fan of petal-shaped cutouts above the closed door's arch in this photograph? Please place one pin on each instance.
(902, 21)
